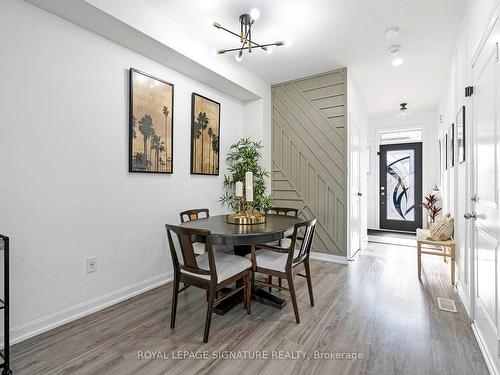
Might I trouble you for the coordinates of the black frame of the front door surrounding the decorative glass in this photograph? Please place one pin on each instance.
(418, 147)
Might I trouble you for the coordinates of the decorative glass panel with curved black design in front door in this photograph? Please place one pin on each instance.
(400, 170)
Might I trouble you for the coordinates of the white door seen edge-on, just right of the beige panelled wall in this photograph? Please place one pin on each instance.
(355, 191)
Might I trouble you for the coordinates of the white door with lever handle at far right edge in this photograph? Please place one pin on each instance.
(485, 224)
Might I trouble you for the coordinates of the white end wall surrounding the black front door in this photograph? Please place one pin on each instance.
(423, 119)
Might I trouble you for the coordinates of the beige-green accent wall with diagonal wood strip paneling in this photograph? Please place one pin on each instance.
(309, 154)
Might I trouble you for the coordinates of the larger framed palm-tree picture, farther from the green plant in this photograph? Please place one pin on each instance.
(151, 124)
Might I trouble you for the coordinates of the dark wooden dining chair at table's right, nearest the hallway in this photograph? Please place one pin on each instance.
(279, 261)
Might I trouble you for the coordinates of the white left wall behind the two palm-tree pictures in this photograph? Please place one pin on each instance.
(65, 193)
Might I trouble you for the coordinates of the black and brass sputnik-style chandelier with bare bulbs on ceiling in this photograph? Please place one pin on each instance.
(245, 36)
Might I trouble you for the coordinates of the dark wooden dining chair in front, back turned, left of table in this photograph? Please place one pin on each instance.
(211, 271)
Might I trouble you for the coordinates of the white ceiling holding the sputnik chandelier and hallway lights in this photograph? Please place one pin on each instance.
(329, 34)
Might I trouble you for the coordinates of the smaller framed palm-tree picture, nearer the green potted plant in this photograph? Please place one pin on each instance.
(205, 135)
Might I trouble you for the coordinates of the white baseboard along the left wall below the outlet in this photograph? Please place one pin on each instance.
(51, 321)
